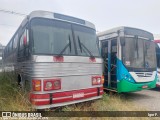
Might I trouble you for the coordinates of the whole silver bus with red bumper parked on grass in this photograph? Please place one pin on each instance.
(56, 58)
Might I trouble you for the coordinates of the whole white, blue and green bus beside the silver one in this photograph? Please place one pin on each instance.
(129, 59)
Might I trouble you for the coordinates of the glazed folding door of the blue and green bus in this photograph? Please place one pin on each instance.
(109, 54)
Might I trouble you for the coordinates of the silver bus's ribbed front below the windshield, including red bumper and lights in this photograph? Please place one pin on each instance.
(77, 79)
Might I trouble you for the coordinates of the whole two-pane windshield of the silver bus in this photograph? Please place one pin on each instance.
(54, 37)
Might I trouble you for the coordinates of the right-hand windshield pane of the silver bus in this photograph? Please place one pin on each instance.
(86, 38)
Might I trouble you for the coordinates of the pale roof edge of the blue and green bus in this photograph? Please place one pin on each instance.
(128, 31)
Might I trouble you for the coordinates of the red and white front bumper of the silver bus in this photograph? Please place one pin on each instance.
(50, 100)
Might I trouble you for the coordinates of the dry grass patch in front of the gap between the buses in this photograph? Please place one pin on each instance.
(108, 102)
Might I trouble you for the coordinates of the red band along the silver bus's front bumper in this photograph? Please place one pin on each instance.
(39, 99)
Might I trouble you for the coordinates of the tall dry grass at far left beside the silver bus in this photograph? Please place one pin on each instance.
(12, 98)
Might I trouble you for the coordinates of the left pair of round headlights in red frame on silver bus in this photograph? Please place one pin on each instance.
(52, 84)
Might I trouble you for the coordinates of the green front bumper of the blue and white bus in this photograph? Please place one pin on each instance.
(126, 86)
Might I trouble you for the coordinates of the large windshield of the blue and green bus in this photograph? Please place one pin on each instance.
(139, 54)
